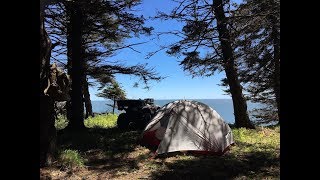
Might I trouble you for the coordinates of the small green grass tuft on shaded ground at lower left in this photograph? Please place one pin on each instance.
(71, 159)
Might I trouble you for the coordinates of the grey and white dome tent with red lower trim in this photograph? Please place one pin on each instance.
(187, 126)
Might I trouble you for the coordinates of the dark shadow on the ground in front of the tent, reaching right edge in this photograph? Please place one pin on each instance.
(256, 165)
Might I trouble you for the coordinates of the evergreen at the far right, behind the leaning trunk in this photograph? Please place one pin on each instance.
(257, 33)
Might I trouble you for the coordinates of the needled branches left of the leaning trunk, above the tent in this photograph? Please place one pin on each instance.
(199, 47)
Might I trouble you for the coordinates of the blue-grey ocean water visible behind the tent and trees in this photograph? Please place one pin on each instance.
(223, 106)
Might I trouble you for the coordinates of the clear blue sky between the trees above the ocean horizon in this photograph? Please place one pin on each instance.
(178, 84)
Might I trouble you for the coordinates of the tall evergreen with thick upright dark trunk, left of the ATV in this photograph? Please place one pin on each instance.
(104, 24)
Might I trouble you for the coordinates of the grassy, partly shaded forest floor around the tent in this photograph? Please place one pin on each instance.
(105, 152)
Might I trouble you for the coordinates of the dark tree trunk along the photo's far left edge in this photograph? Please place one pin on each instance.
(47, 118)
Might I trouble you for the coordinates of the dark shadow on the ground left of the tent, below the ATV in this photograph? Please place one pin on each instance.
(104, 149)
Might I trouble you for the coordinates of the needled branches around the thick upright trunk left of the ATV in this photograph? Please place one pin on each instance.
(106, 25)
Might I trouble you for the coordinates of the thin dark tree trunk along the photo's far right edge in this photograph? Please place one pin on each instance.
(276, 61)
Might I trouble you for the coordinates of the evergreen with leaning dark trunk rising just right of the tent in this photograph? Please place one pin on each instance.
(207, 26)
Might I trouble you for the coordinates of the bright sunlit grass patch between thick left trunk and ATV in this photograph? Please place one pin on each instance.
(101, 121)
